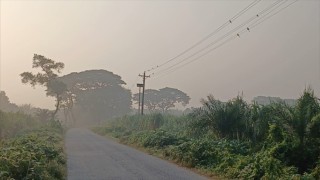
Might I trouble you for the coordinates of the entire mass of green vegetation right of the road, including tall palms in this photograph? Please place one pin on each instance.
(235, 139)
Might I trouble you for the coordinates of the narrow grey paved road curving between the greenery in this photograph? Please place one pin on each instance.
(92, 157)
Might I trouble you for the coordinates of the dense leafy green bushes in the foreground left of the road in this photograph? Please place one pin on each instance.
(34, 155)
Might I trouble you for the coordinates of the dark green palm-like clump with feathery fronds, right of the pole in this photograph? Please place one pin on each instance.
(225, 120)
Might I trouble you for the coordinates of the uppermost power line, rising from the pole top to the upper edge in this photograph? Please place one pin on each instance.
(209, 35)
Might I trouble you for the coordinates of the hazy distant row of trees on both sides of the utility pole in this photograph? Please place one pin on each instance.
(93, 95)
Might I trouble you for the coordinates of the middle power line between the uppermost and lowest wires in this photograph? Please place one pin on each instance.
(257, 16)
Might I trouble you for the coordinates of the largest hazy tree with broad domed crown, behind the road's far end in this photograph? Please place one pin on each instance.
(96, 94)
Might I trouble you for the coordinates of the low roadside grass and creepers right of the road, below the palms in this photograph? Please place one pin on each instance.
(168, 137)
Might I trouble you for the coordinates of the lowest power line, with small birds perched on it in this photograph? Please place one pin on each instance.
(253, 25)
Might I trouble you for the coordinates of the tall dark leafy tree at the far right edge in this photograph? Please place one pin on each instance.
(304, 123)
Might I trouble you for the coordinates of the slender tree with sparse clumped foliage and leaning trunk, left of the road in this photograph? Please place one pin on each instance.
(48, 78)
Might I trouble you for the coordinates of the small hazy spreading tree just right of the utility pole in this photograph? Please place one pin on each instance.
(163, 99)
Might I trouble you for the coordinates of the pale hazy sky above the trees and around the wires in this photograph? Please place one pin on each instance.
(279, 57)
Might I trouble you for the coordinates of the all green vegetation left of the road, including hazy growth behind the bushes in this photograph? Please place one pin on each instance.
(30, 148)
